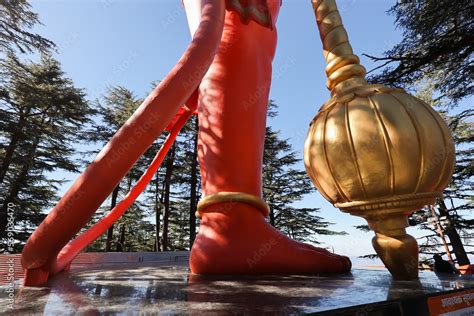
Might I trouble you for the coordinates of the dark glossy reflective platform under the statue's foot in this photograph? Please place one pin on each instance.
(161, 284)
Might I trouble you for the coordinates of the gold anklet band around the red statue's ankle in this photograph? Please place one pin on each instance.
(226, 197)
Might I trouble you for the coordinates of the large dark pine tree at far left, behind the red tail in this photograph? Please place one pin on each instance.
(41, 115)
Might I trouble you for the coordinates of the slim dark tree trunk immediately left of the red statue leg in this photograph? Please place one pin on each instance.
(193, 197)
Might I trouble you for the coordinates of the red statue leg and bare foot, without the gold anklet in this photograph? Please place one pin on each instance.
(234, 238)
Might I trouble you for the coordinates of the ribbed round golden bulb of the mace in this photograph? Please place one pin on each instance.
(378, 143)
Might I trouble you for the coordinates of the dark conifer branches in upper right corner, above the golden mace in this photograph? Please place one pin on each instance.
(437, 44)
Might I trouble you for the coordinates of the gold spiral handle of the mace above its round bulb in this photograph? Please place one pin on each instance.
(343, 69)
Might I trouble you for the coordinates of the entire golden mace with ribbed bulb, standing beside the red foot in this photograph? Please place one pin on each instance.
(374, 151)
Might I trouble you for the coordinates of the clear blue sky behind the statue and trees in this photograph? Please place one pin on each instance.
(134, 42)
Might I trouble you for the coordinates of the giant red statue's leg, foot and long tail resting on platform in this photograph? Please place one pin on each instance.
(225, 74)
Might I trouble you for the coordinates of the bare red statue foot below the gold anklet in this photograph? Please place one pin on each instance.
(234, 238)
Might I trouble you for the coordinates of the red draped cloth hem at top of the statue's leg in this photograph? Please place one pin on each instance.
(255, 10)
